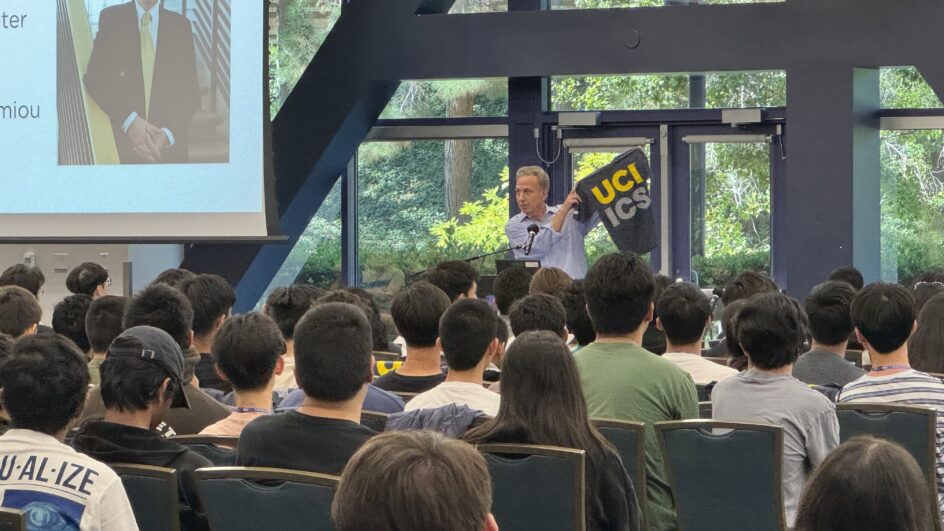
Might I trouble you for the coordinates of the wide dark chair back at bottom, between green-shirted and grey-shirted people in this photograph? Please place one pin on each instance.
(716, 469)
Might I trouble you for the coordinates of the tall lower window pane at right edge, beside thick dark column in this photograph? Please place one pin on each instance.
(912, 203)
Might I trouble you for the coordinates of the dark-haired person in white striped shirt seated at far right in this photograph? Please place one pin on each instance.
(884, 319)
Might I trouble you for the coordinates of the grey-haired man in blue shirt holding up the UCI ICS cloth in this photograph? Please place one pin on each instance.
(560, 241)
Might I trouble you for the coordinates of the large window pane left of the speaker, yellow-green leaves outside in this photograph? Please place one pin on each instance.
(422, 202)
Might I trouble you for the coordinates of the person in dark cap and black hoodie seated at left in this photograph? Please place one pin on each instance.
(142, 377)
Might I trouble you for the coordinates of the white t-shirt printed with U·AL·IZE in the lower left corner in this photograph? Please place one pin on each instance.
(59, 488)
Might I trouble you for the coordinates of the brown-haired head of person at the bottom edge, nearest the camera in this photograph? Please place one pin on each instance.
(414, 480)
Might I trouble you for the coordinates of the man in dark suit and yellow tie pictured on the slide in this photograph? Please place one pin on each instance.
(143, 73)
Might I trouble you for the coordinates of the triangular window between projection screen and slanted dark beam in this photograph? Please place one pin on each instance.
(301, 27)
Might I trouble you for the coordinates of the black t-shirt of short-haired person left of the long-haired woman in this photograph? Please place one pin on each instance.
(301, 442)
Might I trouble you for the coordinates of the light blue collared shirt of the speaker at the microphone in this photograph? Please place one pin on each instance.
(565, 249)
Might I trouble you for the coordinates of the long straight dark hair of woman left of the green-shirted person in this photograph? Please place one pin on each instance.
(542, 400)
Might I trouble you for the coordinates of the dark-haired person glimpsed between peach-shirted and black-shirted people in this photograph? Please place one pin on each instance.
(286, 306)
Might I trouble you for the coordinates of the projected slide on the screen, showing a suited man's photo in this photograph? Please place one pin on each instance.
(132, 118)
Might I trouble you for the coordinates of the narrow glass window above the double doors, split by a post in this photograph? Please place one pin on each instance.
(667, 91)
